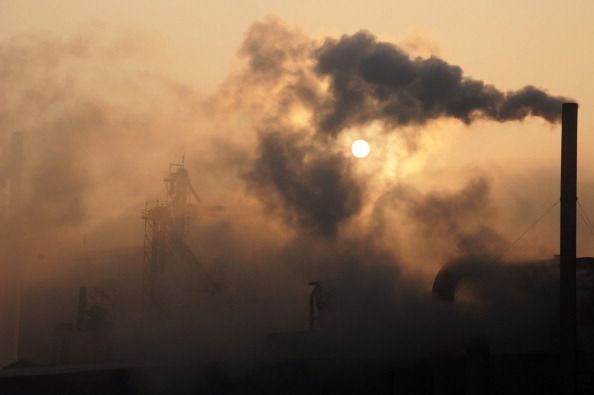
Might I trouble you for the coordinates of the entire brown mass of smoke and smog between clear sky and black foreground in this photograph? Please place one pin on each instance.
(145, 223)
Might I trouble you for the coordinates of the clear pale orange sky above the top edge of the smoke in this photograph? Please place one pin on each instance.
(546, 43)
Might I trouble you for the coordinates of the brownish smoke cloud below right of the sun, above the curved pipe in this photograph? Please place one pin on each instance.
(439, 226)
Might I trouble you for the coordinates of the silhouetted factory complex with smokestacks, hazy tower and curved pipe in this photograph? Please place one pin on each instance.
(82, 356)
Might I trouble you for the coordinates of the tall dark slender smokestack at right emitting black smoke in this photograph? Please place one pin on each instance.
(568, 247)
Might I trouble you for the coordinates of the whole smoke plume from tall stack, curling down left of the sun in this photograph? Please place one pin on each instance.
(324, 88)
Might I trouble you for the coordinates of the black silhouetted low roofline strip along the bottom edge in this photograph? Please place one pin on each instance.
(475, 373)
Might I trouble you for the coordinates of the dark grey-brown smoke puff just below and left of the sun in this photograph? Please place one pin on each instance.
(316, 189)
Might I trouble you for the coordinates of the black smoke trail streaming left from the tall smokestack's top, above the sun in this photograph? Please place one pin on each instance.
(372, 80)
